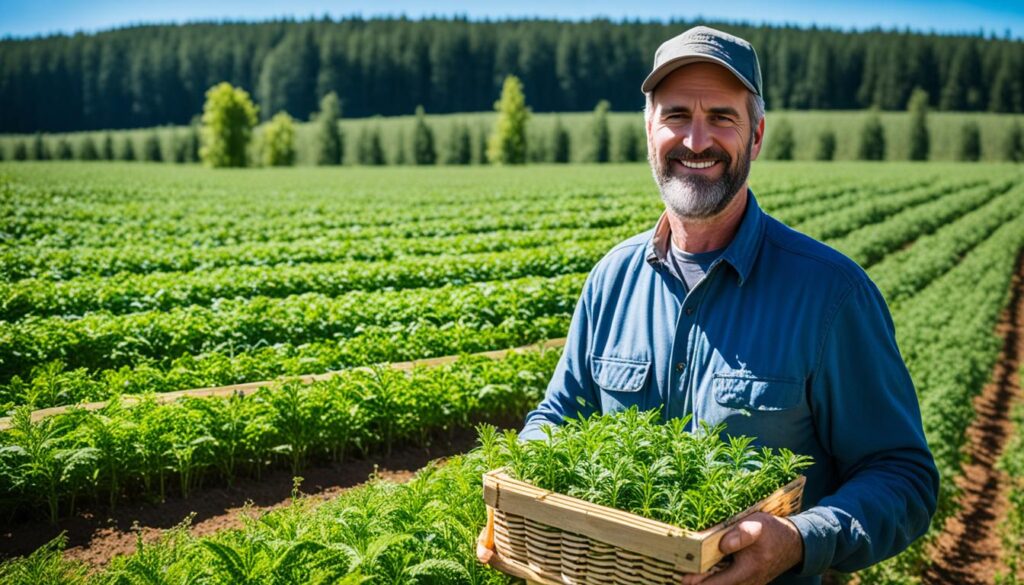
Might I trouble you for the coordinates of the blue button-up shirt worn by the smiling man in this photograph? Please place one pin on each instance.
(785, 340)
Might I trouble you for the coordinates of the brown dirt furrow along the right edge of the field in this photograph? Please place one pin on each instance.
(969, 550)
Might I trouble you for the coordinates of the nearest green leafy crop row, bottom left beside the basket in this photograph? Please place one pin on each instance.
(419, 533)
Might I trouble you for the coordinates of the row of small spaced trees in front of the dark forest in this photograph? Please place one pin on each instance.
(229, 136)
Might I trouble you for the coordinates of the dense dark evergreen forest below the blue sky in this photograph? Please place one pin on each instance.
(154, 75)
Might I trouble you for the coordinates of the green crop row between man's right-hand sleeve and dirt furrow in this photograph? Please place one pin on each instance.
(947, 333)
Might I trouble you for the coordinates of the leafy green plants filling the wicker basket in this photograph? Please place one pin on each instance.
(629, 462)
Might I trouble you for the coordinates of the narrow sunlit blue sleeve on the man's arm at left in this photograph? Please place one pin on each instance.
(571, 392)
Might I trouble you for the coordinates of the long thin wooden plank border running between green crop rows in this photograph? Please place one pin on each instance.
(249, 388)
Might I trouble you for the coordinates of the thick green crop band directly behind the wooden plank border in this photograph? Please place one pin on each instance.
(306, 331)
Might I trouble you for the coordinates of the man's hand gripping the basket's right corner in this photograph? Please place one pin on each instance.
(763, 548)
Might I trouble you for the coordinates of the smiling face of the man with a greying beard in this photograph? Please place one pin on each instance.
(701, 140)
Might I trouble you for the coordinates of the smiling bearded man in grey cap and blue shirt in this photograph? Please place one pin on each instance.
(726, 314)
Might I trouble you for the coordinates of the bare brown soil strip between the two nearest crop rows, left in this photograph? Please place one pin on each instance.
(96, 536)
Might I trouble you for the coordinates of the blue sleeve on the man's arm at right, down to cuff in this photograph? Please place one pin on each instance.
(868, 419)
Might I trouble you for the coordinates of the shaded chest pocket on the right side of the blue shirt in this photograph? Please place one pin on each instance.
(774, 410)
